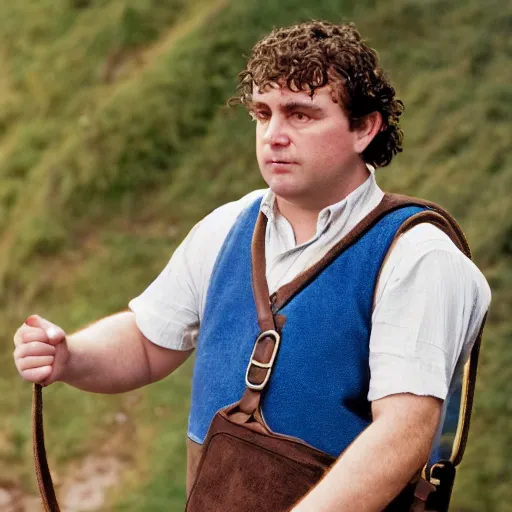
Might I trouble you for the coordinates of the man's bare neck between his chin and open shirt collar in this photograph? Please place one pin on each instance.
(303, 215)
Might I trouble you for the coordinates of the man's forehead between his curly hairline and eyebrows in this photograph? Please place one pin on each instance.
(275, 95)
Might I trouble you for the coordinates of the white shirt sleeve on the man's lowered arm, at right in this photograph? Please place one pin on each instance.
(430, 302)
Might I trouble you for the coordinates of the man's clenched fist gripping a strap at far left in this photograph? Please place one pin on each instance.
(41, 351)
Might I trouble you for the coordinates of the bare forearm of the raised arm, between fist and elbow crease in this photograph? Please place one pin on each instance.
(107, 357)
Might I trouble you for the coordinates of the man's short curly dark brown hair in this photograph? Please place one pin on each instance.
(310, 55)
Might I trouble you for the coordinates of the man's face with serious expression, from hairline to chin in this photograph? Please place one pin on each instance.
(306, 152)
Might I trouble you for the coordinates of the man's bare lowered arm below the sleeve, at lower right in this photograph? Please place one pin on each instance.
(376, 467)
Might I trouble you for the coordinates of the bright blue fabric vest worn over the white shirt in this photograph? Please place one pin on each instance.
(319, 384)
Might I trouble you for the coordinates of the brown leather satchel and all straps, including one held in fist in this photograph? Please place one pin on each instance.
(244, 466)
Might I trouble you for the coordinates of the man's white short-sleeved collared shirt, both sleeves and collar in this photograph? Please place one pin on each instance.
(430, 298)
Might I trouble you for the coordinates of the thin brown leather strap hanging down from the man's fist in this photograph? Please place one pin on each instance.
(44, 479)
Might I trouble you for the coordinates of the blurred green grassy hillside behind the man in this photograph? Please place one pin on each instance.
(115, 141)
